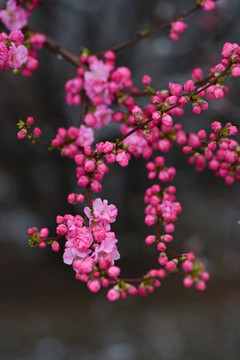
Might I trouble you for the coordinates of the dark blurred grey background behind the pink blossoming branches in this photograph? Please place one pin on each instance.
(45, 313)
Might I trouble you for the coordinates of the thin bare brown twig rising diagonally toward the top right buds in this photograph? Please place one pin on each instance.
(143, 35)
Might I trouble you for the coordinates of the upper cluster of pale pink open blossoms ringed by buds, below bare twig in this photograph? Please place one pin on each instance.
(101, 83)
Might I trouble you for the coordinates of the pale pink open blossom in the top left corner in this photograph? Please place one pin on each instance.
(14, 16)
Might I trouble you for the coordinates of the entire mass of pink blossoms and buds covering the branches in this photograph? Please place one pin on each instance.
(150, 131)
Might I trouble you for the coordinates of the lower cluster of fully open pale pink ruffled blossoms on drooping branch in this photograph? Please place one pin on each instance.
(96, 240)
